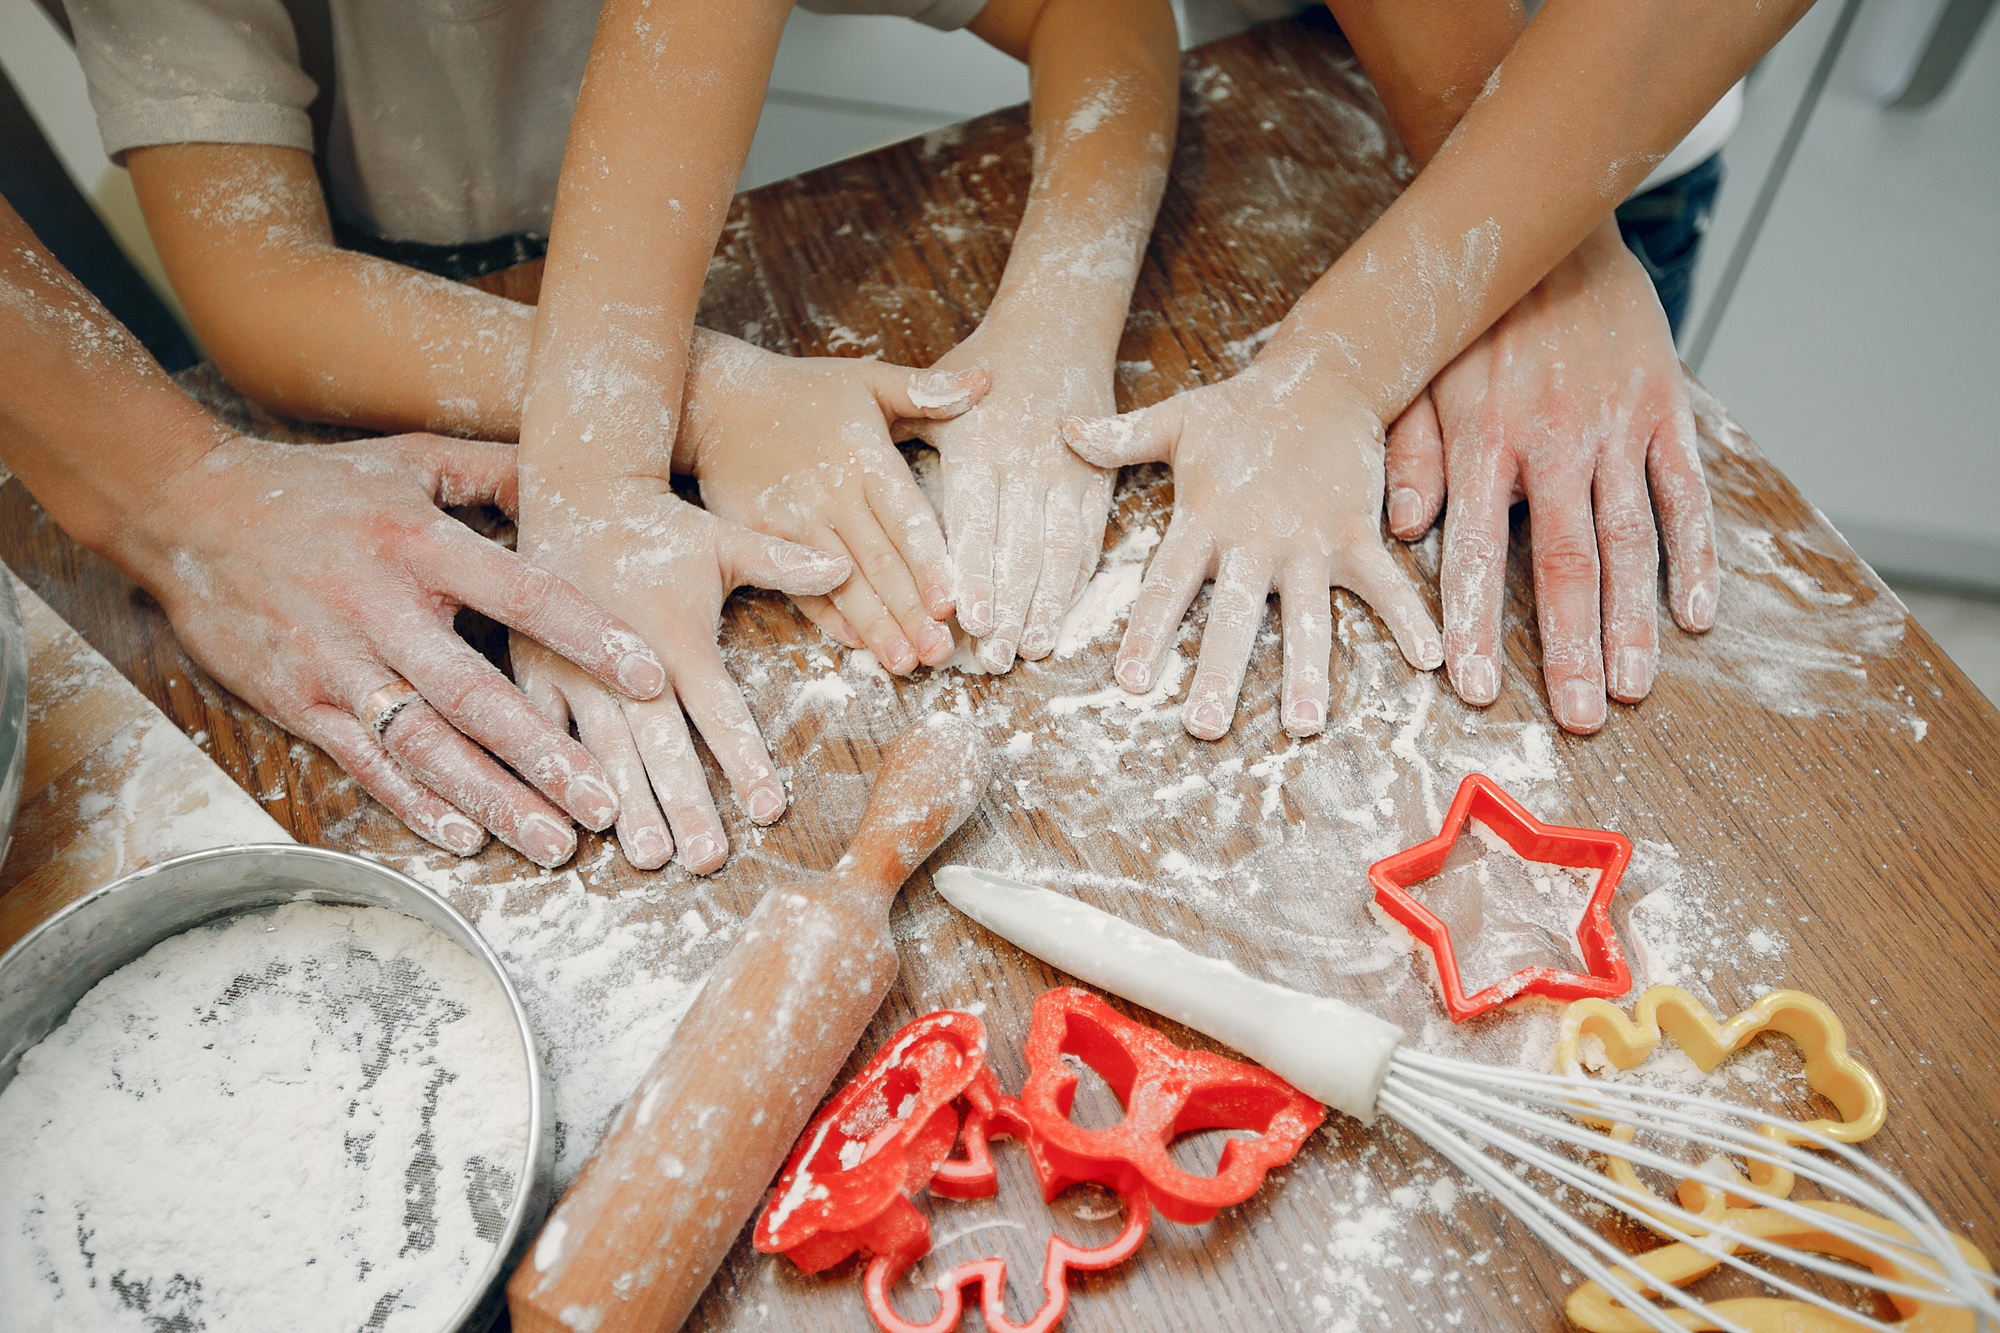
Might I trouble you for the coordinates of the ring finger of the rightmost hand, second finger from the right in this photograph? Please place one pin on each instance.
(1629, 551)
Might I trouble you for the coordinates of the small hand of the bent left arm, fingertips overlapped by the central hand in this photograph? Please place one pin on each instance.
(801, 449)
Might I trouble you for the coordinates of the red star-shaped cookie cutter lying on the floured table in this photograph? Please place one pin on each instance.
(1585, 850)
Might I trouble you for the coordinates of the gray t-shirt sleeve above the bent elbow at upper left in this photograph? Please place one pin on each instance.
(193, 73)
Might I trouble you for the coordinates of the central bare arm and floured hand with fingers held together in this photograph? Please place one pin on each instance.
(1025, 517)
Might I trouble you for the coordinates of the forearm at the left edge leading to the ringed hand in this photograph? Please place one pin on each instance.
(87, 419)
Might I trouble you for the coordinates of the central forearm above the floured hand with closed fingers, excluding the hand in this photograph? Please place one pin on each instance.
(1105, 103)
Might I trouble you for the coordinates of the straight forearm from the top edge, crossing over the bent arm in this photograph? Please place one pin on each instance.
(671, 101)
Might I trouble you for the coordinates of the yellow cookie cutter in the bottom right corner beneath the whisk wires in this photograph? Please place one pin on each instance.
(1599, 1310)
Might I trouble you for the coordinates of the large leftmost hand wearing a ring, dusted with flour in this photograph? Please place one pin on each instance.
(307, 579)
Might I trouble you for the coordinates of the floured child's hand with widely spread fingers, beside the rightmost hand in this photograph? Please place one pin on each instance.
(1277, 485)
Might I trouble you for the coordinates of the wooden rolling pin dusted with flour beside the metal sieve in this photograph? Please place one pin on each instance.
(657, 1208)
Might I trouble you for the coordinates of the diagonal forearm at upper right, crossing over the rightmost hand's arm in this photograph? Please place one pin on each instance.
(1571, 123)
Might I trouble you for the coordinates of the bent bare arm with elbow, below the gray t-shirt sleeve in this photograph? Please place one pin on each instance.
(315, 331)
